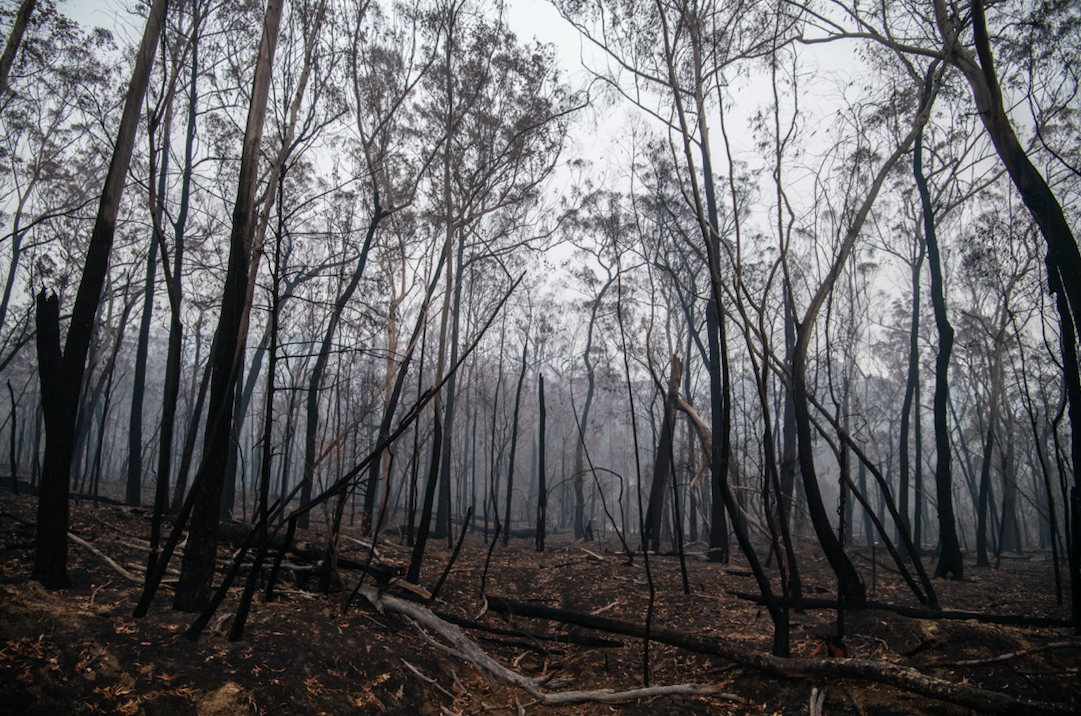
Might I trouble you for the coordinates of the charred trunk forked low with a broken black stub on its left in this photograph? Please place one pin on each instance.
(65, 370)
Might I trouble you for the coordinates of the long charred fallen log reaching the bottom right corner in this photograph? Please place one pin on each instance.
(902, 678)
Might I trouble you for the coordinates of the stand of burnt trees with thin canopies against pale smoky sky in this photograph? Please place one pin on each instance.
(755, 271)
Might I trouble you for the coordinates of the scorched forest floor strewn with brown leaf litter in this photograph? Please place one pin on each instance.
(81, 652)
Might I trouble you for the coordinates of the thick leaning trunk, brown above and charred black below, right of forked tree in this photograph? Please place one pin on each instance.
(197, 568)
